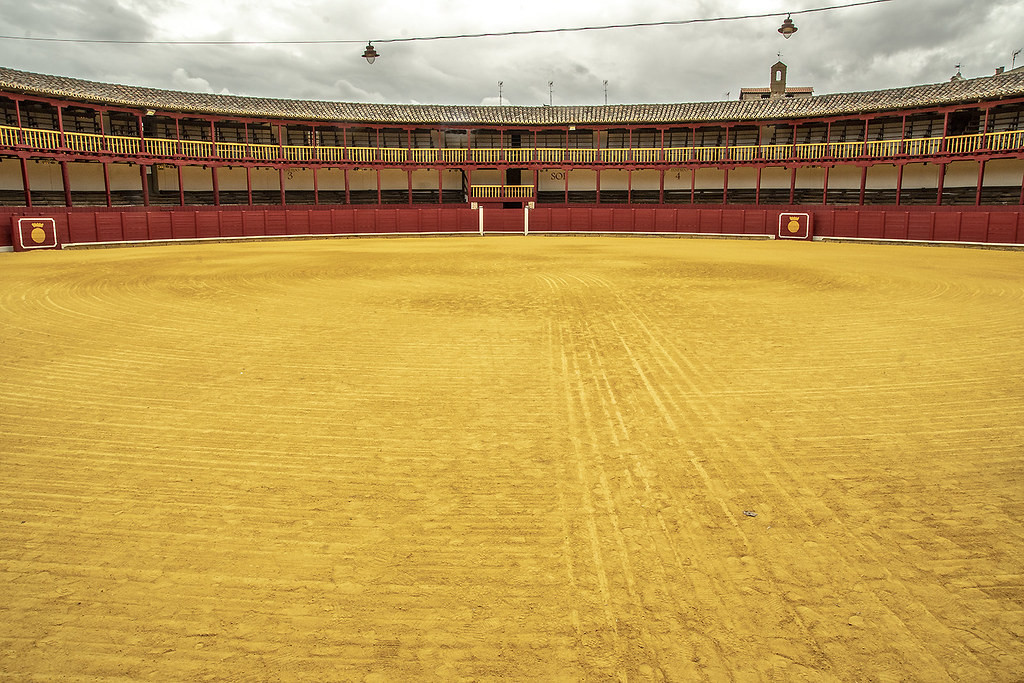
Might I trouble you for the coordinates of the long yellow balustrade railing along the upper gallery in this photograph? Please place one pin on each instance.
(93, 144)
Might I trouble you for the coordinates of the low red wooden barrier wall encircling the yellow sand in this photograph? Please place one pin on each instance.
(94, 226)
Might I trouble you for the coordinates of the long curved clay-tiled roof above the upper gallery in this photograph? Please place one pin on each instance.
(1009, 84)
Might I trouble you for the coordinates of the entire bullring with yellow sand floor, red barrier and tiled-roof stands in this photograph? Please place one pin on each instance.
(701, 392)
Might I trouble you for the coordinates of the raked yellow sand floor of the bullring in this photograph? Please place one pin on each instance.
(513, 458)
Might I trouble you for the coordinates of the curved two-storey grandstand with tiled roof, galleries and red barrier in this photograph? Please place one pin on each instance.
(99, 159)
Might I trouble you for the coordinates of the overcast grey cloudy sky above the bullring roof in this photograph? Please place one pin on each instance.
(893, 45)
